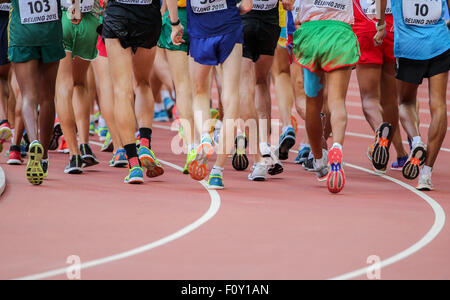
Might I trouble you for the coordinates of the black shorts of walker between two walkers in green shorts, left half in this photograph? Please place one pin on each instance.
(136, 26)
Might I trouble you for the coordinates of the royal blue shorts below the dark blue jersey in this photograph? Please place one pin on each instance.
(215, 50)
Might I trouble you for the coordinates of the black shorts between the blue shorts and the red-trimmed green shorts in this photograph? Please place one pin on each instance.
(260, 38)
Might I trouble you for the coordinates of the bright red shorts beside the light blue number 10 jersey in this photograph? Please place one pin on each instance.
(376, 55)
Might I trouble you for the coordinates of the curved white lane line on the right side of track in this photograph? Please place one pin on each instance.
(439, 222)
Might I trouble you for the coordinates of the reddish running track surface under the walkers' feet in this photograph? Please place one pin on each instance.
(289, 227)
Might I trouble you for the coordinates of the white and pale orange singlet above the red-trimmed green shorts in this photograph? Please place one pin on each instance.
(316, 10)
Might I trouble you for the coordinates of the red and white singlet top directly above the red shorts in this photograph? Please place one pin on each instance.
(365, 16)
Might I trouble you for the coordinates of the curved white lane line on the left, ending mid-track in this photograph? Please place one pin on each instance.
(212, 211)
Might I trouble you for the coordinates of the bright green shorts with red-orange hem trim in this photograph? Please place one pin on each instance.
(326, 45)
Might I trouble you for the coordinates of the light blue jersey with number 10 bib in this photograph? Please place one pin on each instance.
(420, 29)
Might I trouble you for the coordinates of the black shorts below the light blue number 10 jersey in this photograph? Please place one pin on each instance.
(414, 71)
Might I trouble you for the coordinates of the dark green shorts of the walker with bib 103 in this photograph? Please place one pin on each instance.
(46, 54)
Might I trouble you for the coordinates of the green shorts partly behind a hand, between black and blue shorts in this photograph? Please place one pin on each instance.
(165, 40)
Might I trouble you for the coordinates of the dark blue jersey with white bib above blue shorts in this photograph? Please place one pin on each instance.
(209, 18)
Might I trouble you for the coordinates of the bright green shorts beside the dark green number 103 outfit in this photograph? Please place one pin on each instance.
(81, 39)
